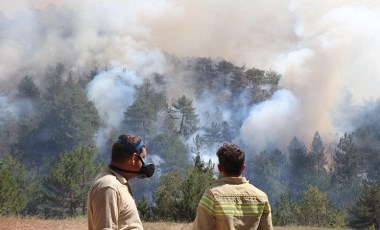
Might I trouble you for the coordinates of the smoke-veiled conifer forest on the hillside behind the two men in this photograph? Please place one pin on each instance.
(56, 135)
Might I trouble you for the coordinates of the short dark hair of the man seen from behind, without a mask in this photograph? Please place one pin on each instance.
(231, 159)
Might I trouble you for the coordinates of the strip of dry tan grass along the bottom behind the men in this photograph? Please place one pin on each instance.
(14, 223)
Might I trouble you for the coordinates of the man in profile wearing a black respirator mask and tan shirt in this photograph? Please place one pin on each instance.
(110, 204)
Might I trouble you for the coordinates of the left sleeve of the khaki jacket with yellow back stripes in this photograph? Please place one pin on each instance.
(205, 217)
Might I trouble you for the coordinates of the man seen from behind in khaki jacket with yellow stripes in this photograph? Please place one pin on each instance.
(231, 202)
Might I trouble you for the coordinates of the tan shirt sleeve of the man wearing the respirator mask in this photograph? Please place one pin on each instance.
(105, 209)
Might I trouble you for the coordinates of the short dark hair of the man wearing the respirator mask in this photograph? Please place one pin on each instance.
(124, 147)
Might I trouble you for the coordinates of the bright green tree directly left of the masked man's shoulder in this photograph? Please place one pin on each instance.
(68, 182)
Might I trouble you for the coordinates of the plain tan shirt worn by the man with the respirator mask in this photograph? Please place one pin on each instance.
(110, 204)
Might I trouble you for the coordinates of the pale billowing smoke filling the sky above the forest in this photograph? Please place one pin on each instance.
(326, 52)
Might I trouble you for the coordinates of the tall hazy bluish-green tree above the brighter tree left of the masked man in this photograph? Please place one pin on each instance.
(71, 118)
